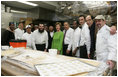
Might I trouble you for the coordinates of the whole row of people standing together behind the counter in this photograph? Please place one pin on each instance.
(82, 40)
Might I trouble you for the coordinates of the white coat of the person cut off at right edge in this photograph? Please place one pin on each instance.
(112, 47)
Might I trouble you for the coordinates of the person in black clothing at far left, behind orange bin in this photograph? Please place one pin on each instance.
(8, 34)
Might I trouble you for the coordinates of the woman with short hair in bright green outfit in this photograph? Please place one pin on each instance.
(57, 42)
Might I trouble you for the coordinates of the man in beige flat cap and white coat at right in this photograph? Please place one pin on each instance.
(102, 41)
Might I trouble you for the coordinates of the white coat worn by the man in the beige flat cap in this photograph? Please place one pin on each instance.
(102, 44)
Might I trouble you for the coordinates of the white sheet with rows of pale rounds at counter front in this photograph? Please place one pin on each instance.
(64, 68)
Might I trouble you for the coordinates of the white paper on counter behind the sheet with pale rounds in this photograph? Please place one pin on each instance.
(37, 57)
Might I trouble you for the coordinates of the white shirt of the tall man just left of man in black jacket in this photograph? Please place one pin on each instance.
(85, 37)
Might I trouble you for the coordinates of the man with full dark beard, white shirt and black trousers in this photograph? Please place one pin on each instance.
(40, 39)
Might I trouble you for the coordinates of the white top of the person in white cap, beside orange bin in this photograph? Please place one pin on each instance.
(28, 37)
